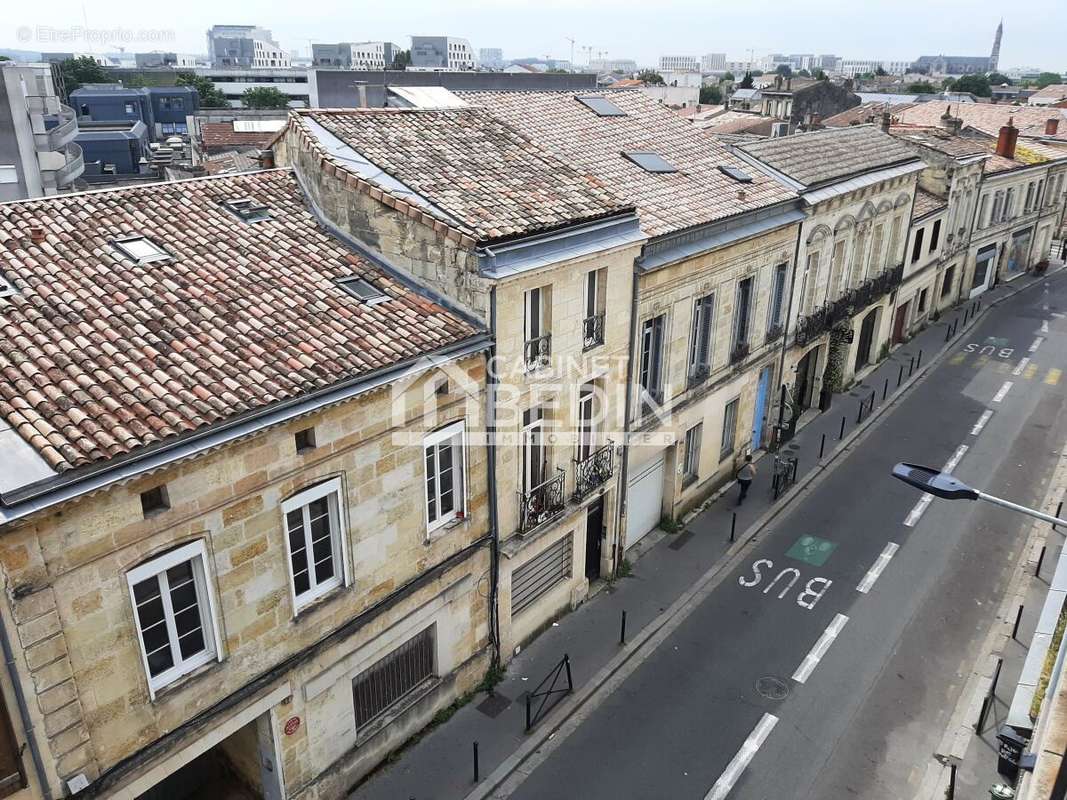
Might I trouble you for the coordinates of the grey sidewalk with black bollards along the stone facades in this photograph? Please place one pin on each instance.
(440, 765)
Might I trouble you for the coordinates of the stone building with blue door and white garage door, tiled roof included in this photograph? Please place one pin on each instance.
(711, 289)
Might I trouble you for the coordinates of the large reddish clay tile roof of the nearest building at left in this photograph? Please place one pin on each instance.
(101, 356)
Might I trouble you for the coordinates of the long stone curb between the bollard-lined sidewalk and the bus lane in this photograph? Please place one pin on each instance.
(570, 712)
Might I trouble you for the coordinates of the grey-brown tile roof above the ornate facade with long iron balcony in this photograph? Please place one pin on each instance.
(835, 154)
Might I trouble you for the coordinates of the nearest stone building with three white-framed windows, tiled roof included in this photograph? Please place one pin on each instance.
(243, 532)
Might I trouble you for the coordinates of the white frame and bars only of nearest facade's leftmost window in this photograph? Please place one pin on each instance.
(197, 554)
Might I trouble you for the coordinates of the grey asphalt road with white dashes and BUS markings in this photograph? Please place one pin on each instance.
(790, 681)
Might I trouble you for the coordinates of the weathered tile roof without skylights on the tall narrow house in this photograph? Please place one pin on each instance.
(489, 180)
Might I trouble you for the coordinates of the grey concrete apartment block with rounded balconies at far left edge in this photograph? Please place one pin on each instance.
(38, 153)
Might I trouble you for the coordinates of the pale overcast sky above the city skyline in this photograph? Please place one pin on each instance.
(640, 29)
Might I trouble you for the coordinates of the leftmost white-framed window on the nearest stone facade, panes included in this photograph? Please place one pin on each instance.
(173, 607)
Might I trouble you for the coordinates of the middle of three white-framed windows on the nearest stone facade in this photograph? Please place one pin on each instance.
(313, 526)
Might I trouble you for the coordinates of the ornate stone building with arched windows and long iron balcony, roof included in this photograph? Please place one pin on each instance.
(858, 187)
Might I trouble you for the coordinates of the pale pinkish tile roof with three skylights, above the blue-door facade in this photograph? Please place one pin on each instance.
(667, 202)
